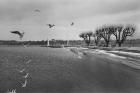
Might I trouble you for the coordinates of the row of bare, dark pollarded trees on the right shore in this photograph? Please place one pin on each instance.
(120, 32)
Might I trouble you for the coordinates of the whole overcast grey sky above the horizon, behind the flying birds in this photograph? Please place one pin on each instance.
(87, 15)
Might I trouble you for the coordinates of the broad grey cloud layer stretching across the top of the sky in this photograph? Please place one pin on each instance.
(62, 10)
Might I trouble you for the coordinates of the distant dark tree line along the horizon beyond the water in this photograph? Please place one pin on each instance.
(128, 42)
